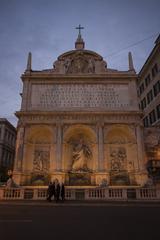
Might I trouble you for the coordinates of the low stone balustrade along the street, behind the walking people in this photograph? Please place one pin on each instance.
(106, 194)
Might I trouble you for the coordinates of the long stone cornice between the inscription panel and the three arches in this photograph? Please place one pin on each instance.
(78, 118)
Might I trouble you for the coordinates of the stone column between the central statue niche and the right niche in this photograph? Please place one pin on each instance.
(100, 148)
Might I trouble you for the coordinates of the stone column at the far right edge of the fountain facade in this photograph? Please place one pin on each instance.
(140, 147)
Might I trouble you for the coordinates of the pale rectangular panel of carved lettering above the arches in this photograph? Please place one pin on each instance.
(67, 96)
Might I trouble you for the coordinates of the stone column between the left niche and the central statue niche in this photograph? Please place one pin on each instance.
(59, 147)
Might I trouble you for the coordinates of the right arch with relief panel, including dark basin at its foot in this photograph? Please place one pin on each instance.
(121, 158)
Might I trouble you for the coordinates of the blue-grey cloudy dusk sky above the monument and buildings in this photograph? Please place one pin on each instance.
(112, 28)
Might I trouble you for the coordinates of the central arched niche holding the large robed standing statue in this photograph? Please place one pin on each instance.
(77, 137)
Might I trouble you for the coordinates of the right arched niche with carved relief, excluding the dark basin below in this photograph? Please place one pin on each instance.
(120, 148)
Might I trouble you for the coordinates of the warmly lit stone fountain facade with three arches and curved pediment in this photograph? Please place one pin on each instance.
(80, 123)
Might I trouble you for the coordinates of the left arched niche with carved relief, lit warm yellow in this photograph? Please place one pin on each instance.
(38, 149)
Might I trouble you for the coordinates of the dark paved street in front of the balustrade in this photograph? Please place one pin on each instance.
(86, 221)
